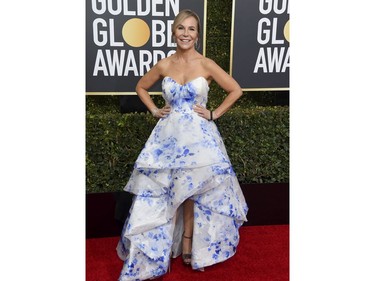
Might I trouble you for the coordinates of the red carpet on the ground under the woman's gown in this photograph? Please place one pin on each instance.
(262, 255)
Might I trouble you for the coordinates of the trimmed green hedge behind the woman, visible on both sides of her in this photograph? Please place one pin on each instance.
(257, 141)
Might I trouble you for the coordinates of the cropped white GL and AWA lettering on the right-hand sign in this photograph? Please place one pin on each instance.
(275, 57)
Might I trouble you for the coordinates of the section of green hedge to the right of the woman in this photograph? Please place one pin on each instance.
(257, 141)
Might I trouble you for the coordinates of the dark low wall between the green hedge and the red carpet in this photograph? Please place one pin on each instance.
(106, 212)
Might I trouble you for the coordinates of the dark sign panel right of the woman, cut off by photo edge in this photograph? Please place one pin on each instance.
(260, 44)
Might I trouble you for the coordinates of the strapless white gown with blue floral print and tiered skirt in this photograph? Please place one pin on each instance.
(183, 158)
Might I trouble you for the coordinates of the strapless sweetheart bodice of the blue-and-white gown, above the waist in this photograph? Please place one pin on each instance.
(183, 97)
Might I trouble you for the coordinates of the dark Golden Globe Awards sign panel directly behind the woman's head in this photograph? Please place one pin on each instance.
(125, 38)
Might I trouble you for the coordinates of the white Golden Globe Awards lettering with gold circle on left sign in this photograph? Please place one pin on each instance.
(131, 36)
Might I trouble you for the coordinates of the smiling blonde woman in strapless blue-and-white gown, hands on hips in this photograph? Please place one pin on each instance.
(187, 199)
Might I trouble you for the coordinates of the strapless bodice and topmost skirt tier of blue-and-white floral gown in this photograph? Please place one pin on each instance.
(183, 138)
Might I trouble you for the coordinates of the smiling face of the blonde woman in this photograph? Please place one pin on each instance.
(186, 33)
